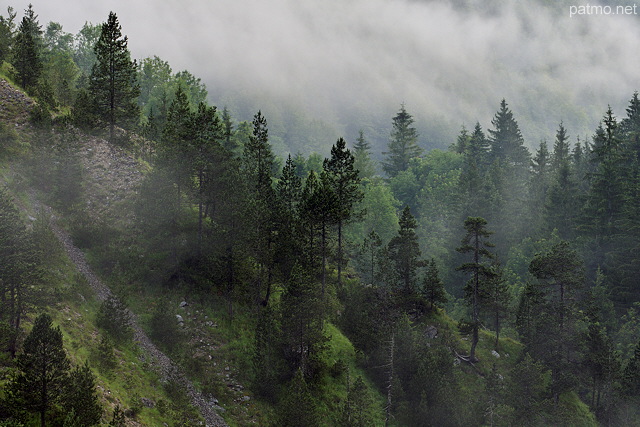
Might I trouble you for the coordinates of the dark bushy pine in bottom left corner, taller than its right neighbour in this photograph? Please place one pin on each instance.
(43, 369)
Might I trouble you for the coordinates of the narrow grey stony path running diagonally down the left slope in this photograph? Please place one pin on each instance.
(165, 367)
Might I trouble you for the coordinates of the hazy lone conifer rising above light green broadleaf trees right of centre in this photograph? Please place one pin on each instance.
(403, 145)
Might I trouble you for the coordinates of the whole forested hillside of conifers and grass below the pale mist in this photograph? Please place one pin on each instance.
(166, 261)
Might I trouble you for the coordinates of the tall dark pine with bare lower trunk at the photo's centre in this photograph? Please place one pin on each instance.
(344, 179)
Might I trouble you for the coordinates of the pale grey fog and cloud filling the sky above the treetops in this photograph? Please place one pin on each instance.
(344, 55)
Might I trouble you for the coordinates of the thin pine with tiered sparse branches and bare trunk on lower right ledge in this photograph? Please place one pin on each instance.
(476, 243)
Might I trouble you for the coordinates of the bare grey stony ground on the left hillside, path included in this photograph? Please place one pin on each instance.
(110, 174)
